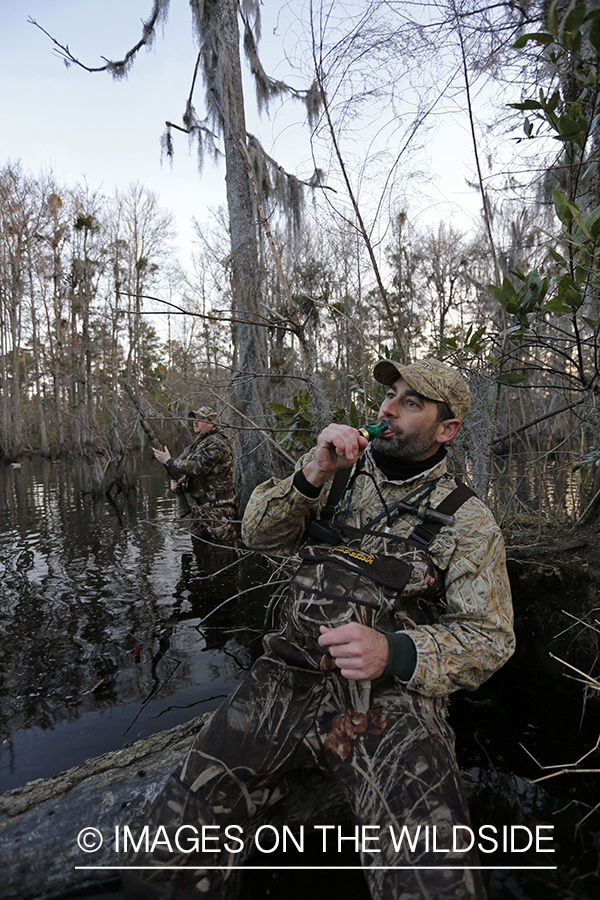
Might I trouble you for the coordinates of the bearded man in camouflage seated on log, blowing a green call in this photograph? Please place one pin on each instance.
(382, 622)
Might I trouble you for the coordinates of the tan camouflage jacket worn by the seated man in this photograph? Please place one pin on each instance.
(474, 636)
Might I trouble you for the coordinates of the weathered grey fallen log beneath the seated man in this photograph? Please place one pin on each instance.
(40, 823)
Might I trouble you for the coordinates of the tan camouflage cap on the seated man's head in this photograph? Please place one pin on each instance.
(431, 378)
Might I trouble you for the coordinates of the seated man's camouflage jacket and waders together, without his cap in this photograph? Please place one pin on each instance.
(386, 743)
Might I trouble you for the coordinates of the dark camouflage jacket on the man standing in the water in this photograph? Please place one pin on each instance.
(206, 466)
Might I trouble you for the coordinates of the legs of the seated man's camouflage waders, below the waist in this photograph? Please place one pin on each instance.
(394, 762)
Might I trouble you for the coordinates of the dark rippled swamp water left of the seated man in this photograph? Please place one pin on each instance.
(102, 616)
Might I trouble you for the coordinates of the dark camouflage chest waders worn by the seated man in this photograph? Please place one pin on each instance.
(390, 750)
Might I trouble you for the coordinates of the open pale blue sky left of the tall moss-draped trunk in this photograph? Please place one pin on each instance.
(89, 126)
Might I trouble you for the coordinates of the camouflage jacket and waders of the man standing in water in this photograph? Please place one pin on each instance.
(206, 467)
